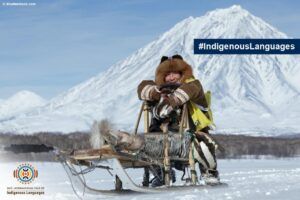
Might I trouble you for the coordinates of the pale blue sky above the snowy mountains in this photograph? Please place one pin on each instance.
(54, 45)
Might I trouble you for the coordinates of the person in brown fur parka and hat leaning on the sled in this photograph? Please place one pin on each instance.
(173, 87)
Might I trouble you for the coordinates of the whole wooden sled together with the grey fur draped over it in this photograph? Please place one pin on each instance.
(117, 155)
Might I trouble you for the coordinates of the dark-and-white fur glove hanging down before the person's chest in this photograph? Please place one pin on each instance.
(162, 109)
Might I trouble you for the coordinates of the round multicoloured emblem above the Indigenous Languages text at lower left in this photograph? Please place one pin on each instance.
(25, 173)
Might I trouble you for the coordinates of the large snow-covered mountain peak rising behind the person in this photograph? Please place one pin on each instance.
(250, 93)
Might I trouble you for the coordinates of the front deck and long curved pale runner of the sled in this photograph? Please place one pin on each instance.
(115, 167)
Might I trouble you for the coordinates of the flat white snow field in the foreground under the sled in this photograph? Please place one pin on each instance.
(246, 178)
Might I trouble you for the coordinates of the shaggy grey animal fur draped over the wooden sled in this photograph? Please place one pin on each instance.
(152, 144)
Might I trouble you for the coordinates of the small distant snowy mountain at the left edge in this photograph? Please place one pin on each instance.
(20, 102)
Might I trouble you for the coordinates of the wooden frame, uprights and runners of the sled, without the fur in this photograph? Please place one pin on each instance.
(115, 162)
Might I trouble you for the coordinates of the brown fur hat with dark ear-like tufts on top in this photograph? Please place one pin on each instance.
(173, 64)
